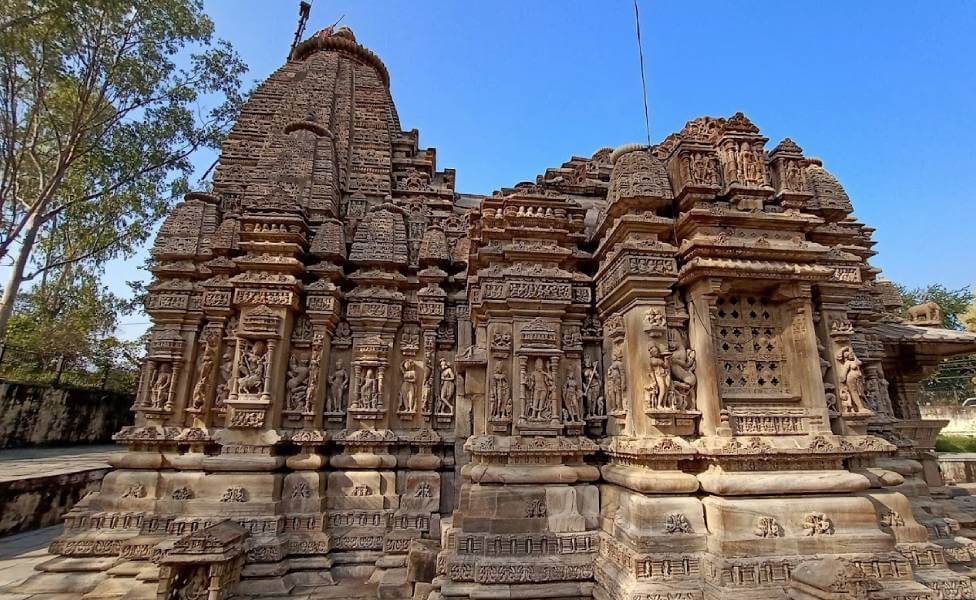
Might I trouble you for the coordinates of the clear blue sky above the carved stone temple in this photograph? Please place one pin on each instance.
(883, 92)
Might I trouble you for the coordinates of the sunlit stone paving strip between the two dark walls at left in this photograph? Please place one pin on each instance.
(26, 463)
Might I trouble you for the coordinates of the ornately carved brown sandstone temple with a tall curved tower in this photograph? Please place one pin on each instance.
(663, 373)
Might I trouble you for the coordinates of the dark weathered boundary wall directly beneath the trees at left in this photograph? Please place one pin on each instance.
(39, 415)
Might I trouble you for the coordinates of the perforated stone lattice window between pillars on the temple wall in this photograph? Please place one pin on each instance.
(749, 347)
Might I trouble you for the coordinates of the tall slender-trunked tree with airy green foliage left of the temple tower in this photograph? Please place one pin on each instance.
(102, 104)
